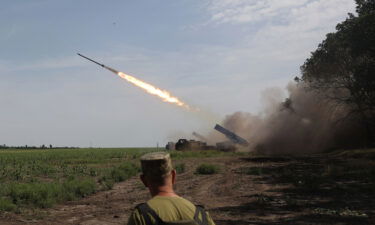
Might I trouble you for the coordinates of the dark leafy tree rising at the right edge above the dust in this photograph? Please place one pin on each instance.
(343, 66)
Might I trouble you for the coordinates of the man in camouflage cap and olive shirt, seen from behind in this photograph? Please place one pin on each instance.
(165, 206)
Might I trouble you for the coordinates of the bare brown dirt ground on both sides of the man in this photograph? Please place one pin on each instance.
(233, 196)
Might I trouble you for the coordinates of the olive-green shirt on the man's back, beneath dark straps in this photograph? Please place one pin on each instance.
(168, 209)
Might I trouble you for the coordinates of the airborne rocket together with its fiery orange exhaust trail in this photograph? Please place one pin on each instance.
(164, 95)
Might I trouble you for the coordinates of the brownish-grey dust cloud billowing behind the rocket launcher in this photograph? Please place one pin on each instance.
(304, 122)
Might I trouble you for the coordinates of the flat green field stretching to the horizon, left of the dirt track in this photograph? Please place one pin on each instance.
(42, 178)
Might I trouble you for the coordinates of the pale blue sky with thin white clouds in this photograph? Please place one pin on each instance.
(216, 55)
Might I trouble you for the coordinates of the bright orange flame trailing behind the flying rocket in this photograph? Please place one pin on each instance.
(164, 95)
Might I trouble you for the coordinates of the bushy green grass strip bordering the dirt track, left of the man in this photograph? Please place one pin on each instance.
(43, 194)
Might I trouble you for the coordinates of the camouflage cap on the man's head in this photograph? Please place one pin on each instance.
(156, 165)
